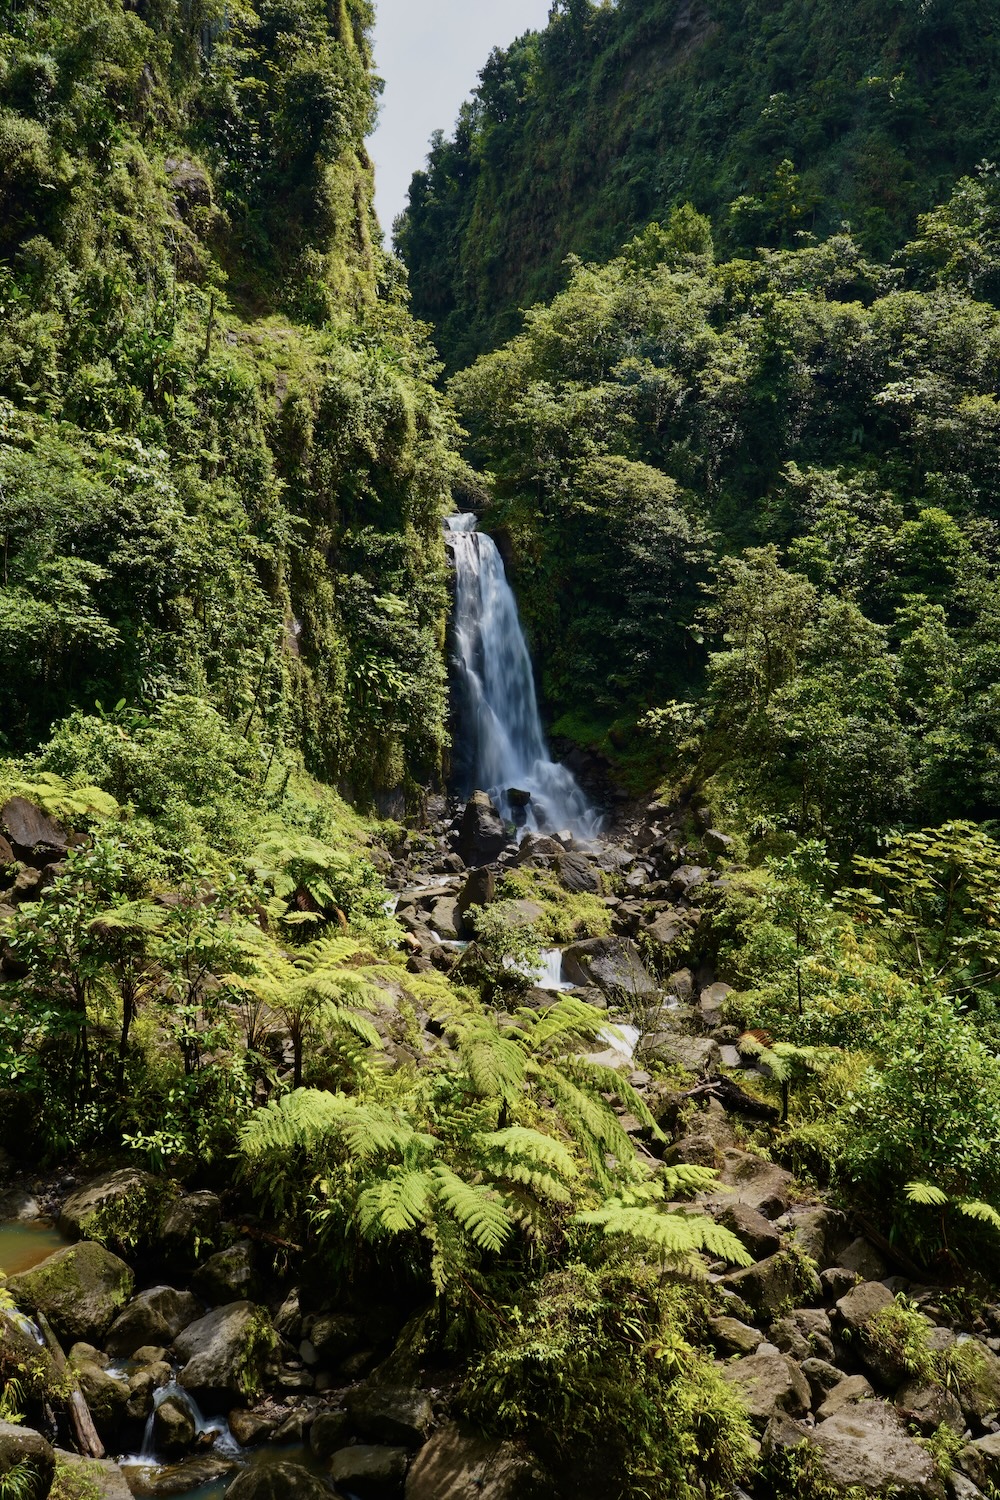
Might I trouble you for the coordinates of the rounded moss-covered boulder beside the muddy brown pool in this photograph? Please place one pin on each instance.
(80, 1291)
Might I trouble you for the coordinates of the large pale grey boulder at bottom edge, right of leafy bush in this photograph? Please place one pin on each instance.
(864, 1447)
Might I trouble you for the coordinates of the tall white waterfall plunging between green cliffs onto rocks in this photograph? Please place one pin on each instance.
(504, 748)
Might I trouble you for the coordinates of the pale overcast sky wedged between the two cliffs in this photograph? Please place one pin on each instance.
(431, 53)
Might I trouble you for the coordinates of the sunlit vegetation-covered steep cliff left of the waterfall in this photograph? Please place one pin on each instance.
(223, 464)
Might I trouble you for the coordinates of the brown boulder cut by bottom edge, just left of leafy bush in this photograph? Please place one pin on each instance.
(458, 1465)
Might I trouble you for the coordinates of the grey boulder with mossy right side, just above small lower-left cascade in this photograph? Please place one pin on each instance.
(224, 1354)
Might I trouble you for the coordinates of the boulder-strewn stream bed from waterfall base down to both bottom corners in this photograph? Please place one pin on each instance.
(208, 1375)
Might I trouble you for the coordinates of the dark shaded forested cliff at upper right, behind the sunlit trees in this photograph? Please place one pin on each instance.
(771, 116)
